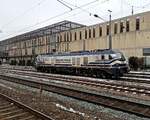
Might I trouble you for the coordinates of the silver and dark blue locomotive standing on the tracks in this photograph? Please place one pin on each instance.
(100, 63)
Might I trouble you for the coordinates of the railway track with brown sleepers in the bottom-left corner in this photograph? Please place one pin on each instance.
(11, 109)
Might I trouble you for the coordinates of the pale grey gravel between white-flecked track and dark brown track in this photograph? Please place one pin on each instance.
(131, 96)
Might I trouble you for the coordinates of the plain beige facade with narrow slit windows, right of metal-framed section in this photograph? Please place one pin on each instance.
(130, 34)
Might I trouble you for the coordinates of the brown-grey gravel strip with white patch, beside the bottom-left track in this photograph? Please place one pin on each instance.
(60, 107)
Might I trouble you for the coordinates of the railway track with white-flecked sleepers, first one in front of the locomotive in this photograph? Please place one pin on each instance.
(89, 82)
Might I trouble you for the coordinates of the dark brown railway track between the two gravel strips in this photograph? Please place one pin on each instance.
(111, 102)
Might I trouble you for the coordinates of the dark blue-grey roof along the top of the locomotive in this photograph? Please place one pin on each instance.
(105, 51)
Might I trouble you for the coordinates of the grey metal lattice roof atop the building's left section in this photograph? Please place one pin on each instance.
(48, 30)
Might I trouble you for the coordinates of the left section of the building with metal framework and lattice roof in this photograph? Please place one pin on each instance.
(23, 49)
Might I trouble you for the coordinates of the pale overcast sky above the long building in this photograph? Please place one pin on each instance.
(20, 16)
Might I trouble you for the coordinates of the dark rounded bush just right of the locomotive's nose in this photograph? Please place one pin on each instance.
(136, 63)
